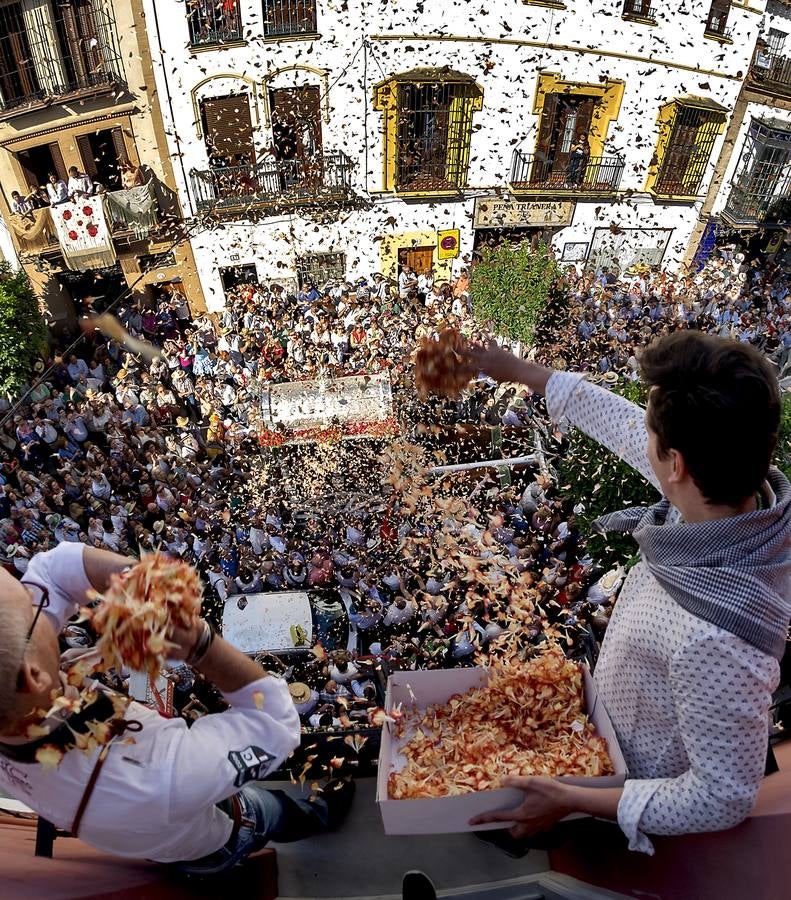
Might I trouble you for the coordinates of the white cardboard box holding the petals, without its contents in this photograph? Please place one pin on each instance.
(443, 815)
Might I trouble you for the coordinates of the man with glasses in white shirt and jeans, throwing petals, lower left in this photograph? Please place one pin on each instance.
(173, 794)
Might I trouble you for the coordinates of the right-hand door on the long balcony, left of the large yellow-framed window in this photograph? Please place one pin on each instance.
(296, 133)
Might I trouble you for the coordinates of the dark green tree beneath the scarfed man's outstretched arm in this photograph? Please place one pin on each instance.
(604, 483)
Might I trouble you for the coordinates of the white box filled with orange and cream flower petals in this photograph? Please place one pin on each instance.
(451, 735)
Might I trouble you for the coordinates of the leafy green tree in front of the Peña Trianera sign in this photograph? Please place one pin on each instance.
(511, 285)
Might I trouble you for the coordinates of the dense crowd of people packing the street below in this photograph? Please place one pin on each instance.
(108, 449)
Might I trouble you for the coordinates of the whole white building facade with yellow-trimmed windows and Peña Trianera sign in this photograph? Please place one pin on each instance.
(329, 138)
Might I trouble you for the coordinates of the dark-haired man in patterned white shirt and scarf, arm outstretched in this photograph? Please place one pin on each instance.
(690, 659)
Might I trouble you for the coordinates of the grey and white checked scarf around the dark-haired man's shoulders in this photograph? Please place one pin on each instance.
(733, 572)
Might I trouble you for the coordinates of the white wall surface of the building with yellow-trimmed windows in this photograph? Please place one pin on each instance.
(506, 72)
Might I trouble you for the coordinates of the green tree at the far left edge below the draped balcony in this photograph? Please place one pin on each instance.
(23, 332)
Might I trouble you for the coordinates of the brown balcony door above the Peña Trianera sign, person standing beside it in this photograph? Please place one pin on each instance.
(564, 121)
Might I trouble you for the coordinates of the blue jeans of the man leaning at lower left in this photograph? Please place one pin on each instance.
(266, 816)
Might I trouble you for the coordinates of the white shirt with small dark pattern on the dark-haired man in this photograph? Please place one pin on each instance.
(688, 700)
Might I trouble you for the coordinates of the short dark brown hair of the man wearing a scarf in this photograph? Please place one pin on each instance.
(717, 402)
